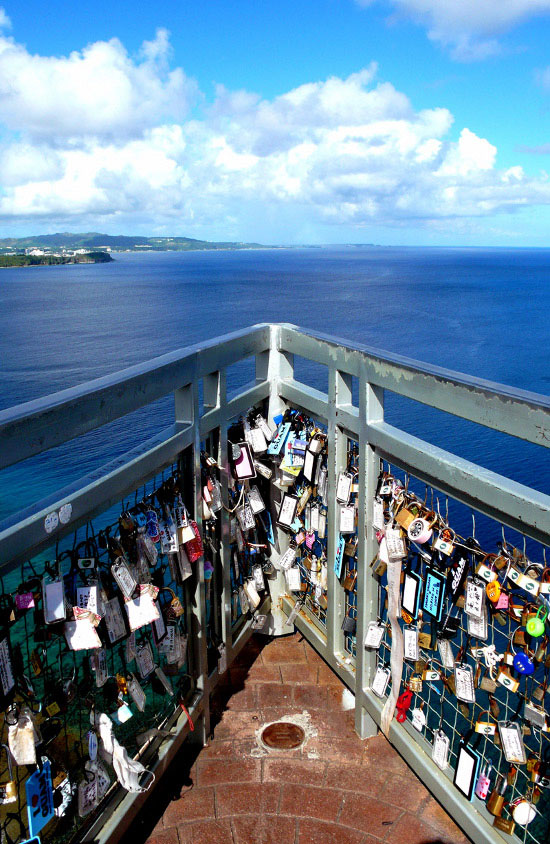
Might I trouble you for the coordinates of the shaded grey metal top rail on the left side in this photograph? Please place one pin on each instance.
(41, 424)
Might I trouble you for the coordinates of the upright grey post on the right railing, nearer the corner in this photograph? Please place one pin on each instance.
(339, 394)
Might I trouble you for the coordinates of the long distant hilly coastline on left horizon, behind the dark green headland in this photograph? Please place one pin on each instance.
(116, 243)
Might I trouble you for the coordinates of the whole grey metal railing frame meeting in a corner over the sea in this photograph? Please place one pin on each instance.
(40, 425)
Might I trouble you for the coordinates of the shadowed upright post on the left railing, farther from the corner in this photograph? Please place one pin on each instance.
(186, 403)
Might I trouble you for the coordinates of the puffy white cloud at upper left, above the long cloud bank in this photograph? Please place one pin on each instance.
(100, 90)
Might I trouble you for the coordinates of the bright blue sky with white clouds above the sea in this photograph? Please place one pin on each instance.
(415, 122)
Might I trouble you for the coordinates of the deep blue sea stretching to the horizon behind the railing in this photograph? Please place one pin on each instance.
(478, 311)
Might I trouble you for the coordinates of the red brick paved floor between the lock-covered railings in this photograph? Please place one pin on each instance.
(336, 788)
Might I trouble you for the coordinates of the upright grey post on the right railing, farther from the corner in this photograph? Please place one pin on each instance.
(371, 409)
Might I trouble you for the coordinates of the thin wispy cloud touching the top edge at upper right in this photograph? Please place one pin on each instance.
(468, 27)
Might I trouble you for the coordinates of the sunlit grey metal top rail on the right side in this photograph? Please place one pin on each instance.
(520, 413)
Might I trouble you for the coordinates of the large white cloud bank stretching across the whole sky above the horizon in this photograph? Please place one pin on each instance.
(349, 152)
